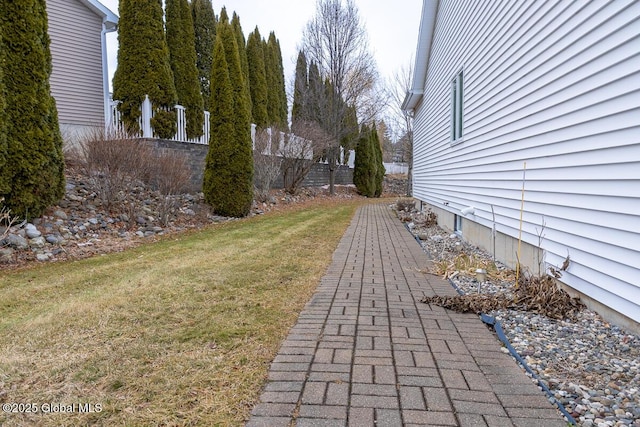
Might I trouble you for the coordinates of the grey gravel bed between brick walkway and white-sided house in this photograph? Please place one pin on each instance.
(591, 366)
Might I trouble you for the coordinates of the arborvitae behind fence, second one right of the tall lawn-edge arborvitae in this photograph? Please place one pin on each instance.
(277, 97)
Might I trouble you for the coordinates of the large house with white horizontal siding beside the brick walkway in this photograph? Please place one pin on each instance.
(527, 122)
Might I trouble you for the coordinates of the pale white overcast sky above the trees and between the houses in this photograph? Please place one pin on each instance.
(392, 27)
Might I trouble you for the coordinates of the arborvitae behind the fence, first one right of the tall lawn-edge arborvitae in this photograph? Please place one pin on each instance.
(257, 79)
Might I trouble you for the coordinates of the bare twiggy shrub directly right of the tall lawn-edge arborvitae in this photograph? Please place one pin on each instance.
(266, 166)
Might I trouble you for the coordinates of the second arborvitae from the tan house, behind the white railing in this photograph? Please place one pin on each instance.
(182, 56)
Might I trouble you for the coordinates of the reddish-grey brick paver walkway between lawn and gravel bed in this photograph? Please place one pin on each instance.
(366, 351)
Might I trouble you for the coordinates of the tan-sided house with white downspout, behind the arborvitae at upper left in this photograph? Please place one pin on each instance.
(80, 79)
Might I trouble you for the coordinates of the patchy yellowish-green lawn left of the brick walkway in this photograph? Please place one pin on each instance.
(179, 332)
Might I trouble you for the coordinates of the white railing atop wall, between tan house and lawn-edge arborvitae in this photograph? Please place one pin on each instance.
(146, 130)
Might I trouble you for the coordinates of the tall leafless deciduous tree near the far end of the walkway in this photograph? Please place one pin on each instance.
(336, 40)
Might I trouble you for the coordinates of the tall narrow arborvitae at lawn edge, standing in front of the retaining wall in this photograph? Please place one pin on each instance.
(231, 186)
